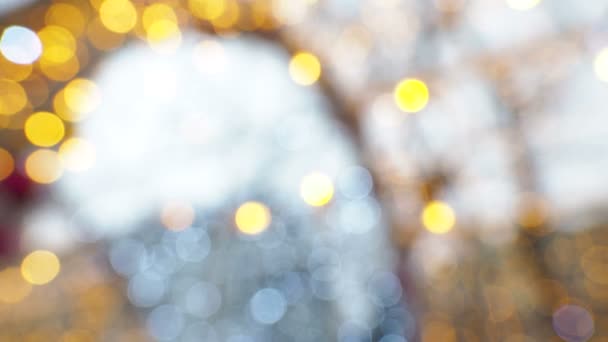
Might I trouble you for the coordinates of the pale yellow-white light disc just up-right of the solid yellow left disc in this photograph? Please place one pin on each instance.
(81, 97)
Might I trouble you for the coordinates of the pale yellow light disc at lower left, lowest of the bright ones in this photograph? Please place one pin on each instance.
(40, 267)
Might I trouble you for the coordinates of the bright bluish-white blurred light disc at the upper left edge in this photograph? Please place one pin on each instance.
(20, 45)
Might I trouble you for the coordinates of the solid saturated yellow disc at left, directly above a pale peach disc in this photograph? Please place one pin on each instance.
(44, 129)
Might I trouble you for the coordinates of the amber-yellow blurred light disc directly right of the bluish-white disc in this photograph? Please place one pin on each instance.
(58, 44)
